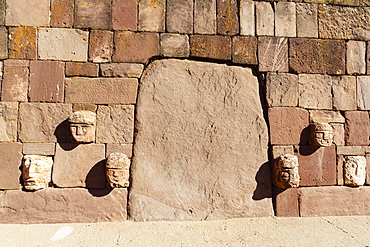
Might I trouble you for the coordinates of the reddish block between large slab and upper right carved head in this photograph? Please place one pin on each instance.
(288, 126)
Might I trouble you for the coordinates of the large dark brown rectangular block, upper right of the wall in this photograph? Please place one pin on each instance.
(317, 56)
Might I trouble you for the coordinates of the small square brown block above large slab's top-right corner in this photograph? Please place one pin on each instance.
(244, 50)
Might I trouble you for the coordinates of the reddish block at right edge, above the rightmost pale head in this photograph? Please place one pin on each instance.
(357, 128)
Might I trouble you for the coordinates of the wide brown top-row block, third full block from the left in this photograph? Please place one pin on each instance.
(95, 14)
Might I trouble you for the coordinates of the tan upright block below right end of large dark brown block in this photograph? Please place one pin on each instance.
(344, 93)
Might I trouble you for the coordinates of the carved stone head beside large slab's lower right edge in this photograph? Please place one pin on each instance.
(286, 171)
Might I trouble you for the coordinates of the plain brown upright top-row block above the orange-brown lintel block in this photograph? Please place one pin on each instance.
(205, 16)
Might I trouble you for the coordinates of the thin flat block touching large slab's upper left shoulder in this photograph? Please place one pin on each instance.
(122, 70)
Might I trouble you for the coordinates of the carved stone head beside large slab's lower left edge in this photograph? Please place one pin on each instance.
(118, 170)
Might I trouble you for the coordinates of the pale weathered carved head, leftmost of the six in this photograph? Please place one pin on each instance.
(36, 171)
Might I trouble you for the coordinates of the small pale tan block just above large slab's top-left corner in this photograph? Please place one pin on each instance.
(174, 45)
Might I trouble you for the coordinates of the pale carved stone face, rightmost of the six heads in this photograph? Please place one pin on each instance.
(354, 170)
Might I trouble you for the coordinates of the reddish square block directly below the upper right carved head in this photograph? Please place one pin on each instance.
(317, 166)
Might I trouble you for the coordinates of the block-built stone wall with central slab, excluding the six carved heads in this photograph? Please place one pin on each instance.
(295, 63)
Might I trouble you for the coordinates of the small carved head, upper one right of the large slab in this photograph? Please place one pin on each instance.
(321, 134)
